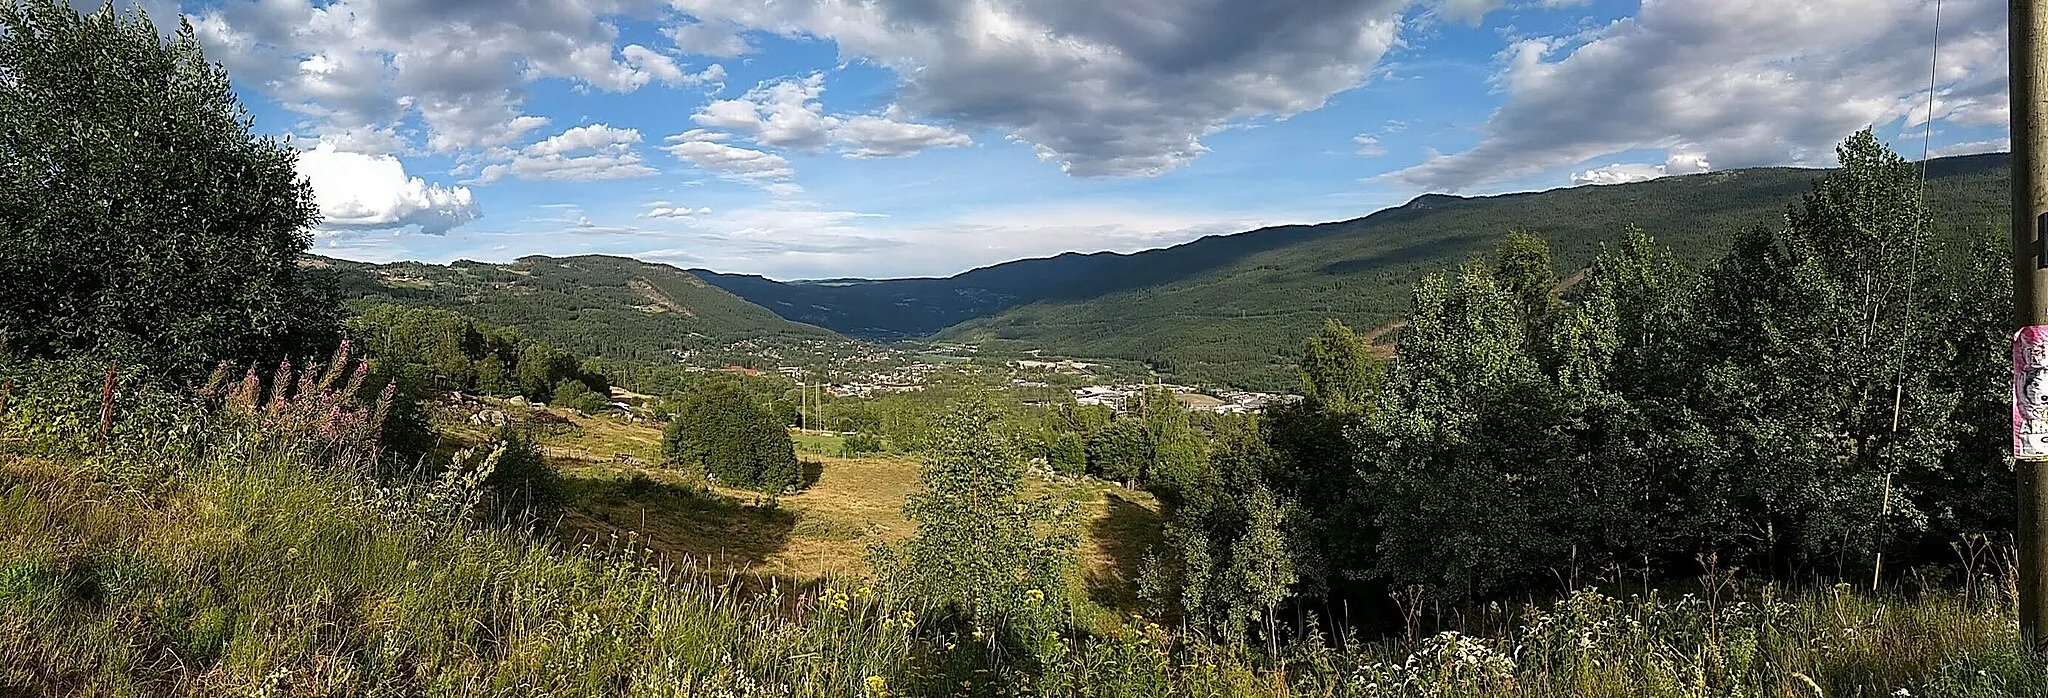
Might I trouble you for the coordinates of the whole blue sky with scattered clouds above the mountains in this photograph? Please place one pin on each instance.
(925, 138)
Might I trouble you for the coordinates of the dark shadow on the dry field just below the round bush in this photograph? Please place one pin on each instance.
(683, 523)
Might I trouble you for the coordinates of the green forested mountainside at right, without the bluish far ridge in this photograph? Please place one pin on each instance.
(1238, 320)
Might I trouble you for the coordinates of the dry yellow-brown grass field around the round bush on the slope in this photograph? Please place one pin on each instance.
(617, 486)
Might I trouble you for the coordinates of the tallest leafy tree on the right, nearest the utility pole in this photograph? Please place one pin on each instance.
(1820, 359)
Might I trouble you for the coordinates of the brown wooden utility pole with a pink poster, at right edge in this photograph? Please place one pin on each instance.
(2029, 46)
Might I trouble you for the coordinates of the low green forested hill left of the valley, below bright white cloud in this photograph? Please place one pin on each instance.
(597, 306)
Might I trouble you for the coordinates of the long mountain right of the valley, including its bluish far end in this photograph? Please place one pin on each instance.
(1234, 308)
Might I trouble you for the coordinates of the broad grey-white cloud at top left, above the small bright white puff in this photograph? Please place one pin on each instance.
(462, 69)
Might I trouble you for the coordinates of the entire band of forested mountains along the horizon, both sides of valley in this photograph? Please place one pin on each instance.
(1228, 308)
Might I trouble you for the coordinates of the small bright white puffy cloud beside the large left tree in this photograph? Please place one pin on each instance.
(359, 191)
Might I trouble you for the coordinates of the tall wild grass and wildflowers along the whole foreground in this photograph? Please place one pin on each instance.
(257, 568)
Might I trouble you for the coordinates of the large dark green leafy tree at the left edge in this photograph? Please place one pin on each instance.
(138, 212)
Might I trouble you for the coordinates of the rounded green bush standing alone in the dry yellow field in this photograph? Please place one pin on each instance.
(730, 437)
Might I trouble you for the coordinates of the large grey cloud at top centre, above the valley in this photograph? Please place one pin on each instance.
(1097, 87)
